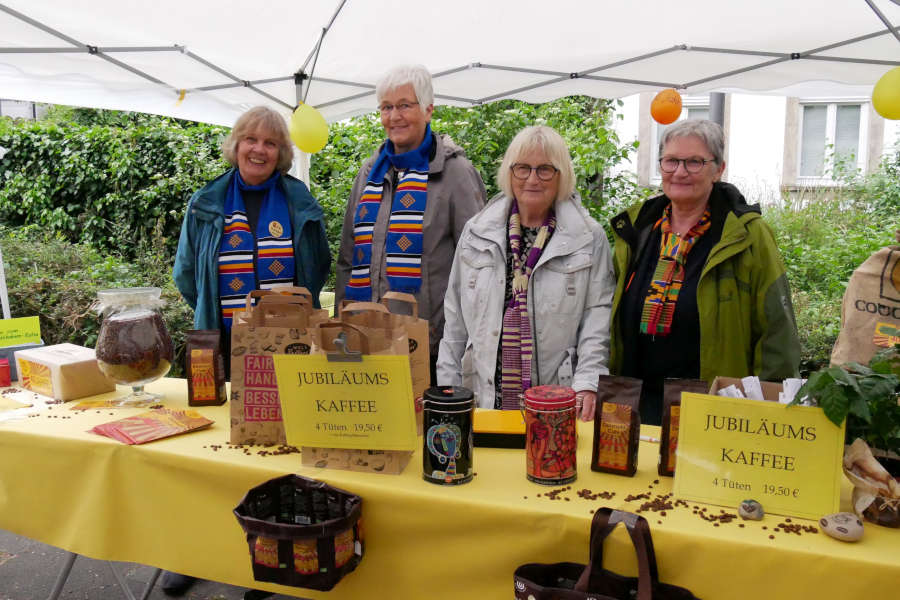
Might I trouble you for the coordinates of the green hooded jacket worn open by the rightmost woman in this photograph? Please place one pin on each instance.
(747, 324)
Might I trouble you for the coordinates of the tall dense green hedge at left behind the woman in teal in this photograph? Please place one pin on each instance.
(105, 185)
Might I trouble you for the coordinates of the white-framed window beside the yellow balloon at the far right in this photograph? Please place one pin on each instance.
(831, 134)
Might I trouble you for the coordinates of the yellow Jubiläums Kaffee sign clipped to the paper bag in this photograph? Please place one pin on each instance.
(362, 405)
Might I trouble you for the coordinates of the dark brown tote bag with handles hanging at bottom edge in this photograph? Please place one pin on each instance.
(572, 581)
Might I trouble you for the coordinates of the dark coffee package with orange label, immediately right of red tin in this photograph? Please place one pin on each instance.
(617, 425)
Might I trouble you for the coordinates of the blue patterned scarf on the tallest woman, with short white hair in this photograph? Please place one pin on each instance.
(403, 244)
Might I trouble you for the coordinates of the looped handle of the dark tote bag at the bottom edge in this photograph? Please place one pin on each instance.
(605, 520)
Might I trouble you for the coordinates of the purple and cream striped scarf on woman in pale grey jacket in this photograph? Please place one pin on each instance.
(516, 344)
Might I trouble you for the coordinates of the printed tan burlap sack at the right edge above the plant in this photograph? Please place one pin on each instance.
(870, 313)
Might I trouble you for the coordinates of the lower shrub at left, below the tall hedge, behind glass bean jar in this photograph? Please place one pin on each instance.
(57, 280)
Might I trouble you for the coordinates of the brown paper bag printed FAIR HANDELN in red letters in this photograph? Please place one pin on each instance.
(277, 325)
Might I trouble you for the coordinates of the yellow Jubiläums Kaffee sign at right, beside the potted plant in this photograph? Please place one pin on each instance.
(732, 449)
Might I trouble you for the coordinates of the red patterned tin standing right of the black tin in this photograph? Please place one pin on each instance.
(550, 434)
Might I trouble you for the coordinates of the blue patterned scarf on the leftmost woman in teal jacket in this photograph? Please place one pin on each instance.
(272, 245)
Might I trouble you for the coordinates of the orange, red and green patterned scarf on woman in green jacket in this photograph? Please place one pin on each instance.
(659, 305)
